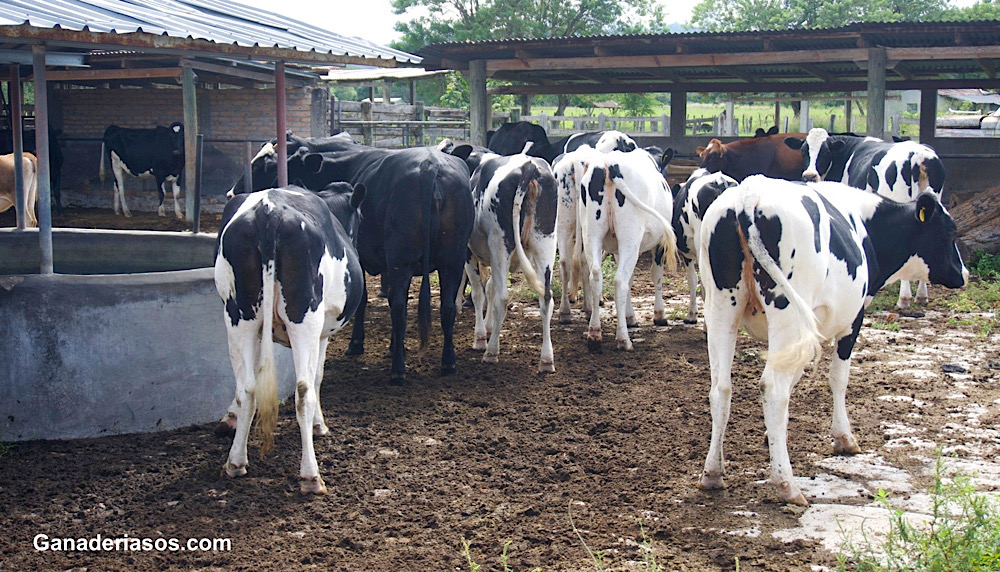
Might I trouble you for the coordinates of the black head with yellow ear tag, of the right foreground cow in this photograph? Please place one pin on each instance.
(934, 244)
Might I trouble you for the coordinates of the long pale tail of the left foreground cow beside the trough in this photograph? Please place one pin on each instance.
(266, 390)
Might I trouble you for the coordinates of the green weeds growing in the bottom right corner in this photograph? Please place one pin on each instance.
(963, 533)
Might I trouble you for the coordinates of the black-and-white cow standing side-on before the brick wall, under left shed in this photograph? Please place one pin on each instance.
(157, 153)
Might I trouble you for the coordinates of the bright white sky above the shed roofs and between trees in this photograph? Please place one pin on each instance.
(373, 20)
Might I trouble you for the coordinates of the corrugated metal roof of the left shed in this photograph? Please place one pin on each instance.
(220, 21)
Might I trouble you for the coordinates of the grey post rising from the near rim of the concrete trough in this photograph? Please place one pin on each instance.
(42, 154)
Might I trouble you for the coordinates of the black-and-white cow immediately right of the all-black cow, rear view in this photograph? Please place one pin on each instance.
(515, 198)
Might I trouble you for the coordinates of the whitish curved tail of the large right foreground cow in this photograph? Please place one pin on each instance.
(807, 345)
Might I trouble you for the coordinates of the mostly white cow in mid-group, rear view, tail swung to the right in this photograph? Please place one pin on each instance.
(624, 208)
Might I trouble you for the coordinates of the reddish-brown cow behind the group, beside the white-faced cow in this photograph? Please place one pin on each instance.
(767, 155)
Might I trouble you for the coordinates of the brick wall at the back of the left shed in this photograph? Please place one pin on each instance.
(226, 118)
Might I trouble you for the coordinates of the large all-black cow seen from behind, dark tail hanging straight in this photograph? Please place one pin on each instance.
(416, 218)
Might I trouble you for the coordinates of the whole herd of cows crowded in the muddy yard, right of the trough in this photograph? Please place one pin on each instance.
(783, 250)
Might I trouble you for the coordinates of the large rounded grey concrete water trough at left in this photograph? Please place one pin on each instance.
(127, 336)
